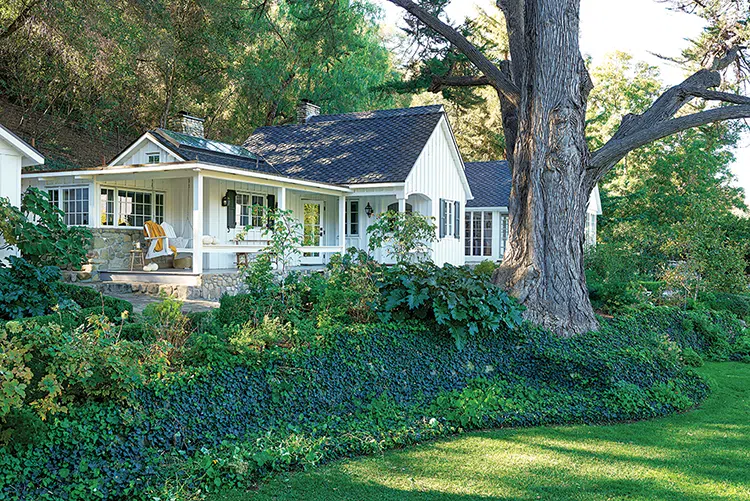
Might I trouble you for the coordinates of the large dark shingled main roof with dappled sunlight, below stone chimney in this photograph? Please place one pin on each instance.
(353, 148)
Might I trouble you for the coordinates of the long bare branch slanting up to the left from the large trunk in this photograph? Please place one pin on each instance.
(484, 65)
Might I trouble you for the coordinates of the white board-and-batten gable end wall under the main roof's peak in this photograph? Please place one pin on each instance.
(437, 175)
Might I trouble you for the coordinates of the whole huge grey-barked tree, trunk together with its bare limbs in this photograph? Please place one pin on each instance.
(543, 92)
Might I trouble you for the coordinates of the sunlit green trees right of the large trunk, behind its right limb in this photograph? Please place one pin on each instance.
(669, 208)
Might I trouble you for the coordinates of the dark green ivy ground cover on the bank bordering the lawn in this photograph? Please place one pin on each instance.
(354, 390)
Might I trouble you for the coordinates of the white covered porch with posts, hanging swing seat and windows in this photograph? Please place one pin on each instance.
(216, 213)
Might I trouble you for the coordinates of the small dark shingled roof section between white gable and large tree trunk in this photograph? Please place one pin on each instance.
(490, 183)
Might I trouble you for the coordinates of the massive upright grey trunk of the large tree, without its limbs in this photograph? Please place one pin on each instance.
(543, 266)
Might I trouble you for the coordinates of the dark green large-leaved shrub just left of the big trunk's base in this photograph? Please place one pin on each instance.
(455, 298)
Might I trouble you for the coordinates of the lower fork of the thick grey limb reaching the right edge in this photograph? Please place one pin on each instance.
(616, 149)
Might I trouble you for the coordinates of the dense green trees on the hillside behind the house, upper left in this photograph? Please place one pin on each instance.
(126, 66)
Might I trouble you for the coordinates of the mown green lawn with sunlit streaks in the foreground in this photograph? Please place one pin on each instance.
(701, 455)
